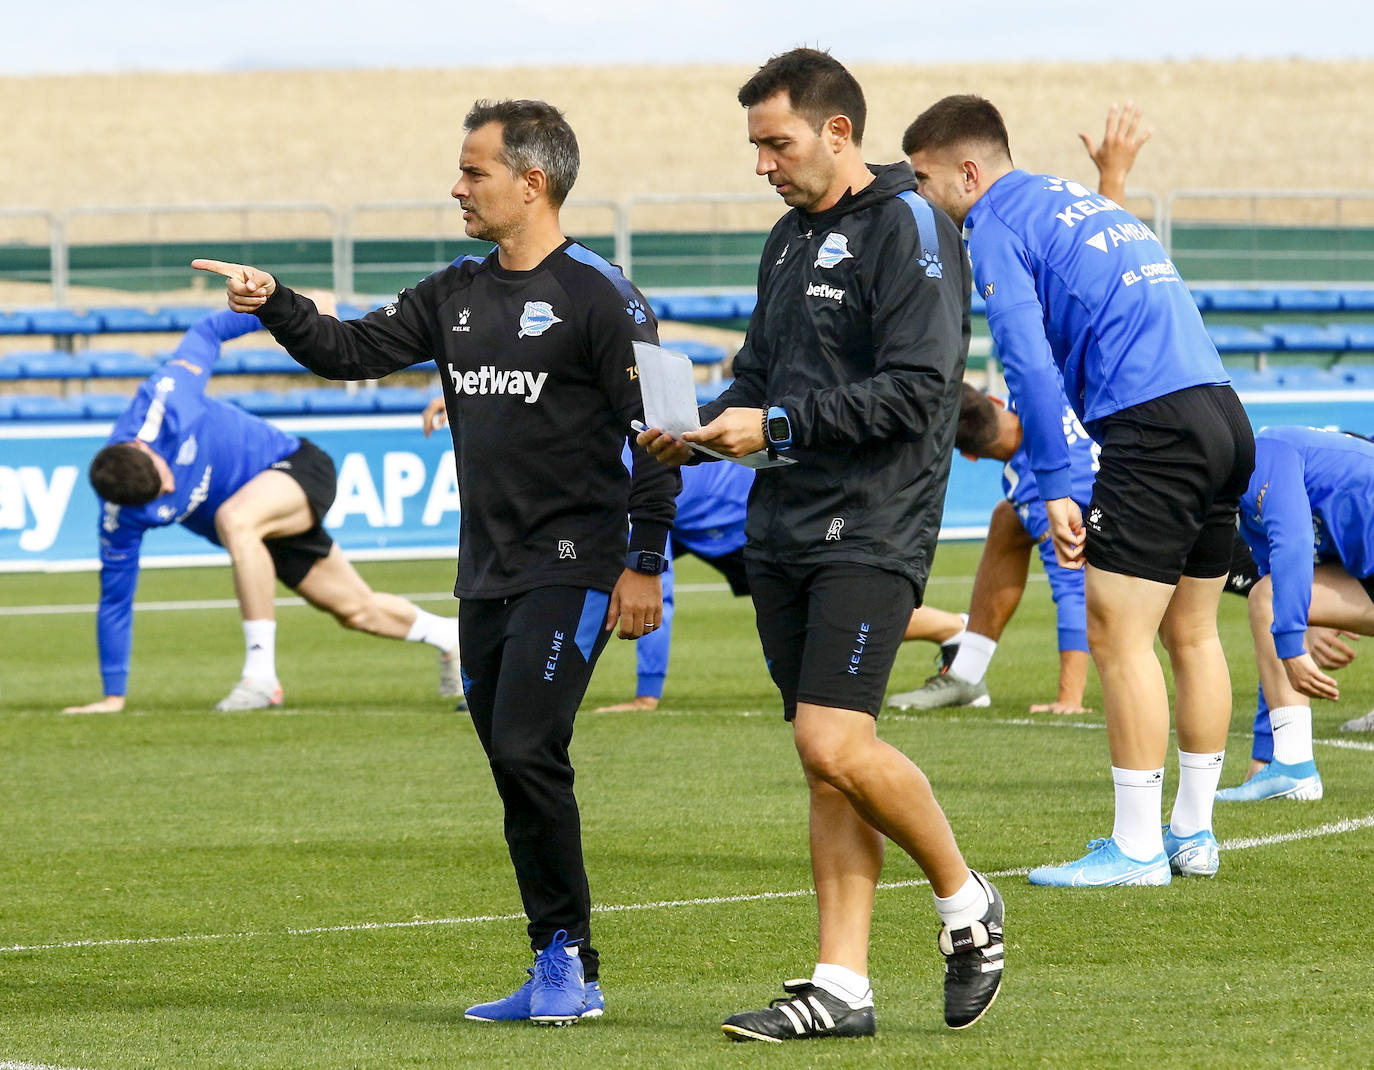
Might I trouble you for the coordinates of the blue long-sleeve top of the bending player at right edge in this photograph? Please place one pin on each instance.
(1311, 499)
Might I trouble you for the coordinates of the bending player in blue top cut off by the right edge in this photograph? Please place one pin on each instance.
(1313, 494)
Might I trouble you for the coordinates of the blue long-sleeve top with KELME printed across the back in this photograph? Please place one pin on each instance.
(1081, 296)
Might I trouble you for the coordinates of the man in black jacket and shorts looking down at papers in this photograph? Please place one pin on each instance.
(853, 369)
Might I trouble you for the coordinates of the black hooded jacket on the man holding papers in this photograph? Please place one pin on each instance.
(861, 333)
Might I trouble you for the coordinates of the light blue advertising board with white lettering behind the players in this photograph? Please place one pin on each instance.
(398, 495)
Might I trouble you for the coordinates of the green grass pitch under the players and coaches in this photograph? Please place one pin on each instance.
(328, 887)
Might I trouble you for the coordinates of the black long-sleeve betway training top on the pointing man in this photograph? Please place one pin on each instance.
(541, 385)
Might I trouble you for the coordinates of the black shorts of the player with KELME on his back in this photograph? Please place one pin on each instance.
(1173, 475)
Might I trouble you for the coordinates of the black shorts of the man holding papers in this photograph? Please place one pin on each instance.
(831, 633)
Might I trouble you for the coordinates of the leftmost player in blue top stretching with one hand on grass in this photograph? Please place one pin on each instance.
(179, 457)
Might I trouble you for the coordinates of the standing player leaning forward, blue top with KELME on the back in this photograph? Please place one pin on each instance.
(1082, 297)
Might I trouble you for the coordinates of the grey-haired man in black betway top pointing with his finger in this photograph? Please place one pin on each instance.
(535, 343)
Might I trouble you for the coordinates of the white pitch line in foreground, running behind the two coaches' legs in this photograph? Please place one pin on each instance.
(1347, 825)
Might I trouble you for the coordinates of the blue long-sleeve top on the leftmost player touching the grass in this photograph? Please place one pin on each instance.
(214, 448)
